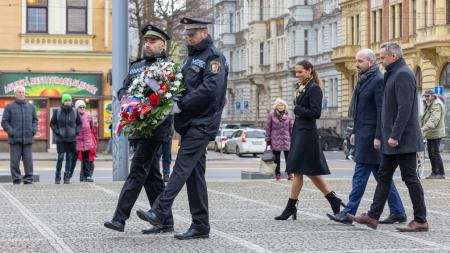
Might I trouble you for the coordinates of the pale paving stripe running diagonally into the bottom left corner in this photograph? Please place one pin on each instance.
(57, 243)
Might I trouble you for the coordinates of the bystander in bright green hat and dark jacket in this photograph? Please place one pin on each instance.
(65, 124)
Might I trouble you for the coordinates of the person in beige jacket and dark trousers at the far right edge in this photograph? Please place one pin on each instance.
(433, 129)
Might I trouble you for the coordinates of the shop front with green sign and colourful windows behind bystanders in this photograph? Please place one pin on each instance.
(44, 91)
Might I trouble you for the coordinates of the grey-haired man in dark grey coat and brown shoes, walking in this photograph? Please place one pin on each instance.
(401, 140)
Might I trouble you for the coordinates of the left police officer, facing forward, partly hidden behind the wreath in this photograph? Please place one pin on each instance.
(144, 169)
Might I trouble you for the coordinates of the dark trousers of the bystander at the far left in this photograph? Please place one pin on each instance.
(24, 152)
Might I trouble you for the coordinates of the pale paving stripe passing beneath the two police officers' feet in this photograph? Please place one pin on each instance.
(230, 237)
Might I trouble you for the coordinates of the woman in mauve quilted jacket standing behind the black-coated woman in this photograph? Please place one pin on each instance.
(278, 134)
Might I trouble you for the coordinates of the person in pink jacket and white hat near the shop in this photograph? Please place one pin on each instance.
(85, 142)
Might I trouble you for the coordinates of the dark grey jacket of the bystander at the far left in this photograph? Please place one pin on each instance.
(20, 122)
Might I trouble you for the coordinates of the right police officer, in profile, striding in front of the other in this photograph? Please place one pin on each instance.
(197, 119)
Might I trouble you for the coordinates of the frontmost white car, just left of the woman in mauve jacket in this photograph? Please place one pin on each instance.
(246, 141)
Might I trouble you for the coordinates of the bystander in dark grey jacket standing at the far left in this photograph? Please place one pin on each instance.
(20, 122)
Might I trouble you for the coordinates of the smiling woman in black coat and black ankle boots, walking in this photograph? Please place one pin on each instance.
(305, 155)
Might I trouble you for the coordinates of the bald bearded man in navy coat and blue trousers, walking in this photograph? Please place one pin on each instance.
(365, 110)
